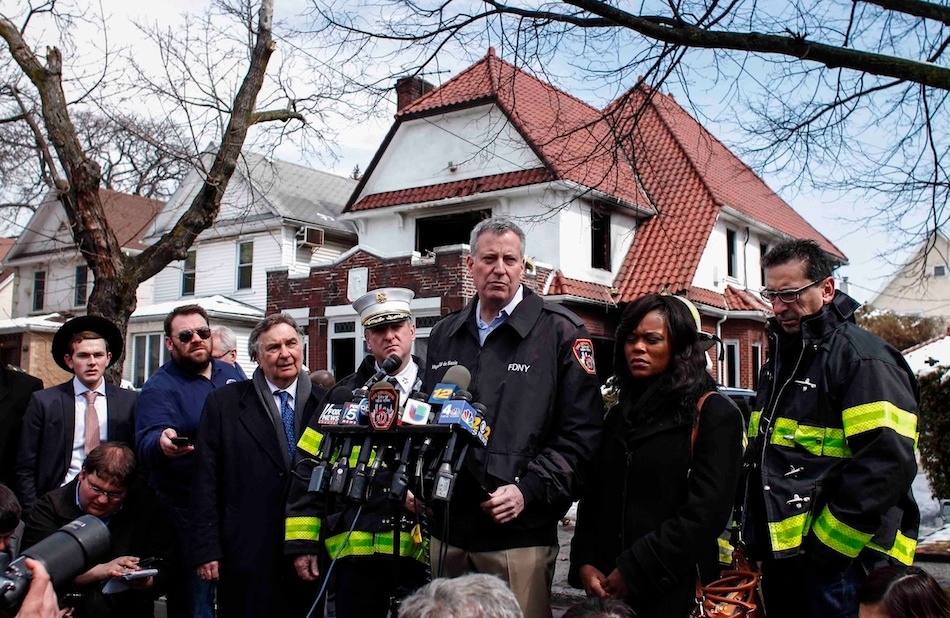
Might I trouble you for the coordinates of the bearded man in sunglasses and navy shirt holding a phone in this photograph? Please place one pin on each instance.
(166, 426)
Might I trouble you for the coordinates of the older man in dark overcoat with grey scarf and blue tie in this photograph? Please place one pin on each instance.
(244, 454)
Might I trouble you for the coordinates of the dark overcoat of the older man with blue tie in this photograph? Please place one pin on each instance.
(239, 490)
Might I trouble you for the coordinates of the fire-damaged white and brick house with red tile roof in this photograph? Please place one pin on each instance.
(635, 198)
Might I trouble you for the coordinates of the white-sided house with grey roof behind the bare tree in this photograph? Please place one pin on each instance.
(274, 214)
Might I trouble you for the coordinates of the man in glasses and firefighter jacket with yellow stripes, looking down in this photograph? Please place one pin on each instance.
(831, 454)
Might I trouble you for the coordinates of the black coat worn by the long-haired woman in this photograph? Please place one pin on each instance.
(647, 511)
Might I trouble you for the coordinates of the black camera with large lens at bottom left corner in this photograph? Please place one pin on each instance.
(66, 553)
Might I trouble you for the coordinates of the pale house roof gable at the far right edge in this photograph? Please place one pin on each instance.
(922, 286)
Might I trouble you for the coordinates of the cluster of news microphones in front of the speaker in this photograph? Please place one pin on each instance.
(427, 430)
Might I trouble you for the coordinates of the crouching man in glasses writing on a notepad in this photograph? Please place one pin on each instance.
(139, 533)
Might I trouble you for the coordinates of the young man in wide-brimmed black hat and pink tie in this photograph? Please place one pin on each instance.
(65, 422)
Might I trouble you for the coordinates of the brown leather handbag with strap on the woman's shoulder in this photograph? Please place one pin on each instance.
(733, 595)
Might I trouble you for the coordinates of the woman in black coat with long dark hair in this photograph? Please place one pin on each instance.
(651, 511)
